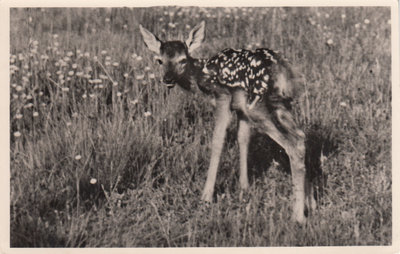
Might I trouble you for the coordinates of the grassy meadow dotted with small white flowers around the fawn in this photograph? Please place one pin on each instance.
(102, 155)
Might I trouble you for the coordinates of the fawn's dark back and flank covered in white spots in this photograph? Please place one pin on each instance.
(257, 72)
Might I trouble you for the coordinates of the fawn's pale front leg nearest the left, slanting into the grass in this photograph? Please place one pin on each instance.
(222, 120)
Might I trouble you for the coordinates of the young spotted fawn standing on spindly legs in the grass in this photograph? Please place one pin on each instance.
(234, 78)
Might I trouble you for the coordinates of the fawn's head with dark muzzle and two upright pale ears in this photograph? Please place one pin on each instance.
(174, 56)
